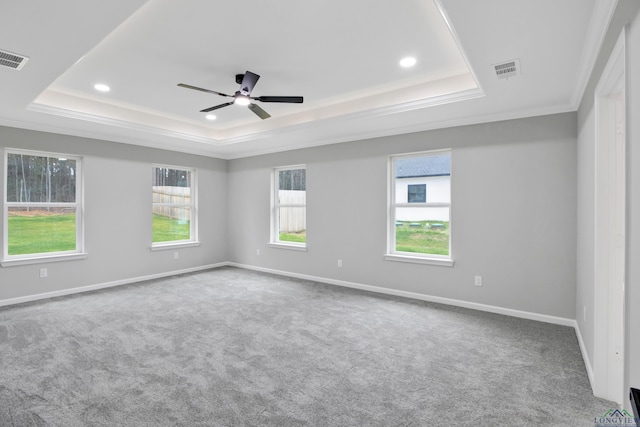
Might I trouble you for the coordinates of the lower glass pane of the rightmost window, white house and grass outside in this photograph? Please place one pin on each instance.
(422, 230)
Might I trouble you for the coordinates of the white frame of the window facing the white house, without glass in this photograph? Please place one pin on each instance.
(418, 258)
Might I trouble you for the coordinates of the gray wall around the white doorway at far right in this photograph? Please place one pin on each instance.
(626, 14)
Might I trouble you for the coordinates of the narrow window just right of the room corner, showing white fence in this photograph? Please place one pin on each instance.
(289, 207)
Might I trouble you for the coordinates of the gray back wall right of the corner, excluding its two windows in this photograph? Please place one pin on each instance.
(513, 214)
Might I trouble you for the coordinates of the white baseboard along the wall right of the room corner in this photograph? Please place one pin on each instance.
(414, 295)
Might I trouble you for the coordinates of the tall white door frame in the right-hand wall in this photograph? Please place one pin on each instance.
(610, 228)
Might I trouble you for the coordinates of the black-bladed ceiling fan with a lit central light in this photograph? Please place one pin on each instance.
(243, 96)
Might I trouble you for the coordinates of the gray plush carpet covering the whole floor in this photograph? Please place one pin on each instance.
(230, 347)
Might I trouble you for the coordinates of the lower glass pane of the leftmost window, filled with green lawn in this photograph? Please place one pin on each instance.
(41, 230)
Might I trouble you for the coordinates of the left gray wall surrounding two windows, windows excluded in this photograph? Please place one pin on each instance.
(117, 203)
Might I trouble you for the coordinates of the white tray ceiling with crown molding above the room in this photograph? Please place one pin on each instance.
(342, 56)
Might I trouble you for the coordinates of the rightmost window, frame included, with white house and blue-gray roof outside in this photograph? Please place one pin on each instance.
(419, 221)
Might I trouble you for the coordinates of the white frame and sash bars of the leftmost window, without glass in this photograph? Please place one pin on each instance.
(78, 253)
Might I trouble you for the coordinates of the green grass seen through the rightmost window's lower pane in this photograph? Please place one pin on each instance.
(421, 239)
